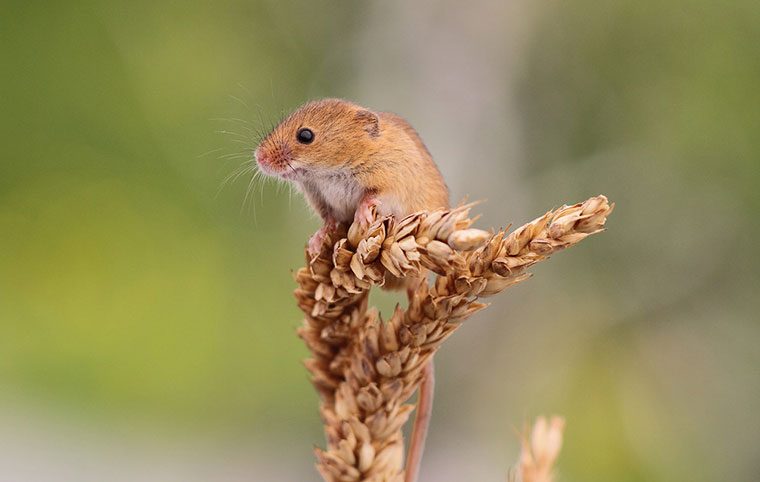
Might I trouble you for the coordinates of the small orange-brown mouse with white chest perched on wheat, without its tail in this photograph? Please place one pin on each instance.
(346, 159)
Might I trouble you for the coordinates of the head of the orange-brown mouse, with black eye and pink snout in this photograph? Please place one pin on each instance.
(324, 135)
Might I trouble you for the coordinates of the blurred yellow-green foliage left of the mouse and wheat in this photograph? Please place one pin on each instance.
(126, 283)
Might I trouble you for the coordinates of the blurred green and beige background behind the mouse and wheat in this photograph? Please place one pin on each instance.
(147, 326)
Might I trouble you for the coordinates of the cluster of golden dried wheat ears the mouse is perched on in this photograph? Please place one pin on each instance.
(365, 369)
